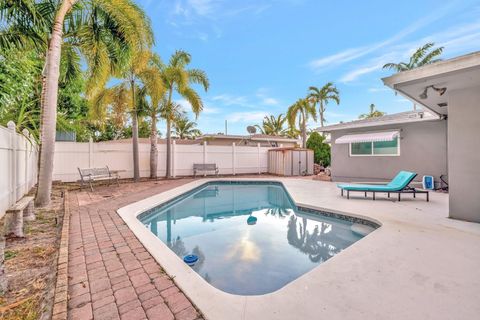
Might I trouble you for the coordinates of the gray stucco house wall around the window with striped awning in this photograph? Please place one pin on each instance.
(423, 149)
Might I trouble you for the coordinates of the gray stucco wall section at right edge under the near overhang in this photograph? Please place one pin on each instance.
(464, 153)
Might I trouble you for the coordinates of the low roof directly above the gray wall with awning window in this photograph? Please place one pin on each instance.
(396, 118)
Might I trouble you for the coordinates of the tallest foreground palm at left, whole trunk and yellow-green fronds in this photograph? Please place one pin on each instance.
(100, 31)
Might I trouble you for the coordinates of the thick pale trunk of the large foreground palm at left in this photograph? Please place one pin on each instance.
(49, 119)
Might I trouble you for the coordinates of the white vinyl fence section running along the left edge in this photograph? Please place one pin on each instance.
(18, 166)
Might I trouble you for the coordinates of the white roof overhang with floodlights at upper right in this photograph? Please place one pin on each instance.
(453, 74)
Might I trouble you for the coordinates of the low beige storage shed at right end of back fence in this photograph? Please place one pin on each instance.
(290, 161)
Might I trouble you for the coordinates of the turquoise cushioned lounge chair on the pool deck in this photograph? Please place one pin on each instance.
(399, 185)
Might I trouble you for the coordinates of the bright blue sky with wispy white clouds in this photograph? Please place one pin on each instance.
(261, 56)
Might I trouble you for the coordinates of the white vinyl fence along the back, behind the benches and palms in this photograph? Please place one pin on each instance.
(118, 156)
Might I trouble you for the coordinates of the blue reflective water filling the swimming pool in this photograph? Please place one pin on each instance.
(249, 237)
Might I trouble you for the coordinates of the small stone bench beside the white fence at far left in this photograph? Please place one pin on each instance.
(14, 216)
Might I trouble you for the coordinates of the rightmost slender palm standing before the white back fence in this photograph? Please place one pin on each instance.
(176, 78)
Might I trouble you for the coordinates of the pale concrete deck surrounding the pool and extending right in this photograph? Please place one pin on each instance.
(418, 265)
